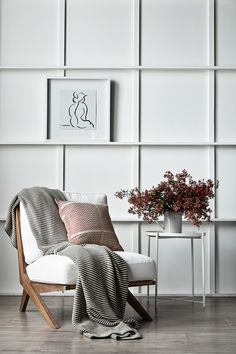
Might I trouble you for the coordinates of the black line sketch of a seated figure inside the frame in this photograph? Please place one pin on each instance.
(78, 112)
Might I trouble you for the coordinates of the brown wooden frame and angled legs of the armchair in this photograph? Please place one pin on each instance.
(33, 289)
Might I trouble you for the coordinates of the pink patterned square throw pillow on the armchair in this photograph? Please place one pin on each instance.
(88, 223)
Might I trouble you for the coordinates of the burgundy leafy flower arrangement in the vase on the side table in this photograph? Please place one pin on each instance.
(176, 193)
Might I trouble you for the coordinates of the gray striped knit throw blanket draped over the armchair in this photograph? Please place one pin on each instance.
(102, 284)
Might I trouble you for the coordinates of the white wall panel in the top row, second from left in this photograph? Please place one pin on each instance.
(99, 32)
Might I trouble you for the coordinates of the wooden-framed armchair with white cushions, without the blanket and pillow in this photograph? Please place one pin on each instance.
(40, 274)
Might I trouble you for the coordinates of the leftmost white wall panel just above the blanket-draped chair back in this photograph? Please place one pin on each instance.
(26, 166)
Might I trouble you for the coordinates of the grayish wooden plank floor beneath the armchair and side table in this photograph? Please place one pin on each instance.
(179, 328)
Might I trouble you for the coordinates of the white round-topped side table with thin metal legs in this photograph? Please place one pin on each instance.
(185, 235)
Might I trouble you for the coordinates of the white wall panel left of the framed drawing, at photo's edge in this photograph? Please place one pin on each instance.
(23, 105)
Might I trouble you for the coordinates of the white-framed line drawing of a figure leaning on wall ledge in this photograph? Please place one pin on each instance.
(78, 110)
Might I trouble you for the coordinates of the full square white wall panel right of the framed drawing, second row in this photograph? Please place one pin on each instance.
(172, 103)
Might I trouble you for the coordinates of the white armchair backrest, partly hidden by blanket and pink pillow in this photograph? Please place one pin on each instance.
(31, 250)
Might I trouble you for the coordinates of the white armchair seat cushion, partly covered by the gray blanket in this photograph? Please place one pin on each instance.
(61, 269)
